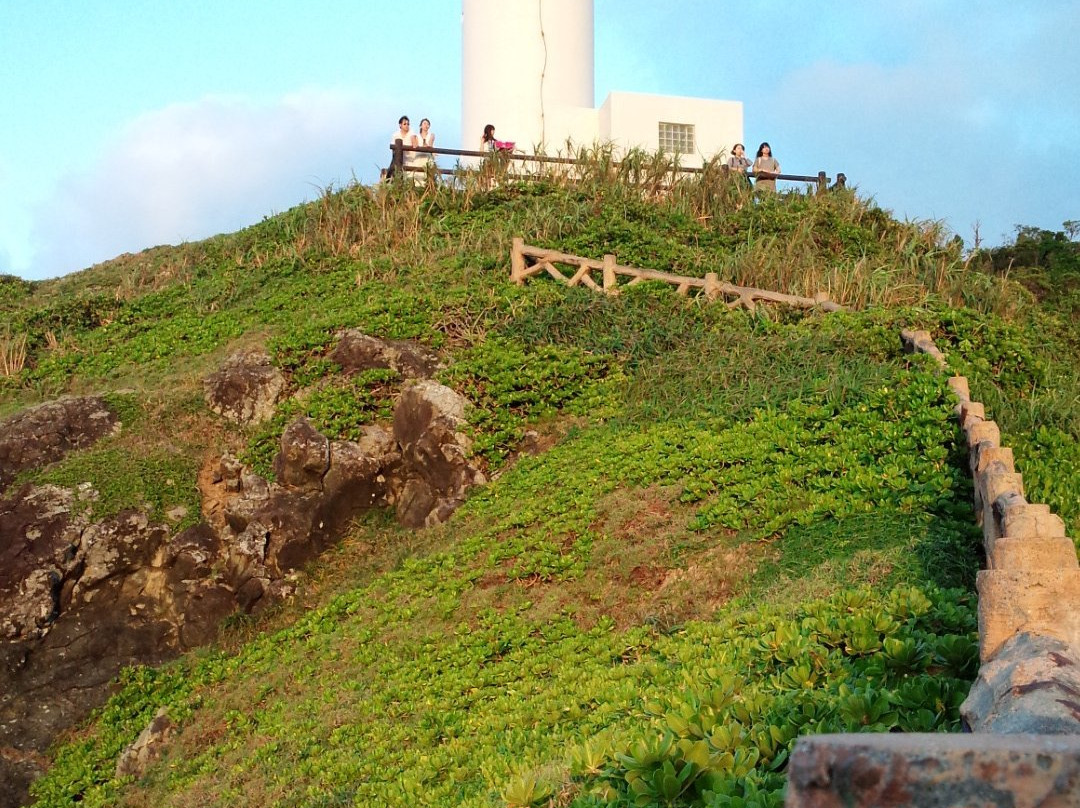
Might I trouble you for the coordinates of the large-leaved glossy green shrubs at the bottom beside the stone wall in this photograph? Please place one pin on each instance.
(854, 664)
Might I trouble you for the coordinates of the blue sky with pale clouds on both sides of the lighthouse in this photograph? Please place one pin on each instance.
(131, 124)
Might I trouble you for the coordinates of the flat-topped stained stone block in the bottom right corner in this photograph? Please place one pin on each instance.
(919, 771)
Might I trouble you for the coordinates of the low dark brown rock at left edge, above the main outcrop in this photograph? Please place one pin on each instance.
(44, 435)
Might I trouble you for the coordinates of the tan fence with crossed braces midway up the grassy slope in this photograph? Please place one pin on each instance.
(526, 262)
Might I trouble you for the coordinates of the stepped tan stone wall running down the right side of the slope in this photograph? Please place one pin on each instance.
(1028, 694)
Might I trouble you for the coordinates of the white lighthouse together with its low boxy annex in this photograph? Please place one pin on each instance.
(528, 69)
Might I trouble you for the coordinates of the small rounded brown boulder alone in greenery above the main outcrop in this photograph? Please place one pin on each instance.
(246, 388)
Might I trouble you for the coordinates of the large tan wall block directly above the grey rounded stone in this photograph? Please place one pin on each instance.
(1045, 602)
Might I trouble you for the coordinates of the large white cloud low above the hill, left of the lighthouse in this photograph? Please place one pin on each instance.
(195, 170)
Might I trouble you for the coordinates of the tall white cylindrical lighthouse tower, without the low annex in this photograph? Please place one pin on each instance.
(528, 69)
